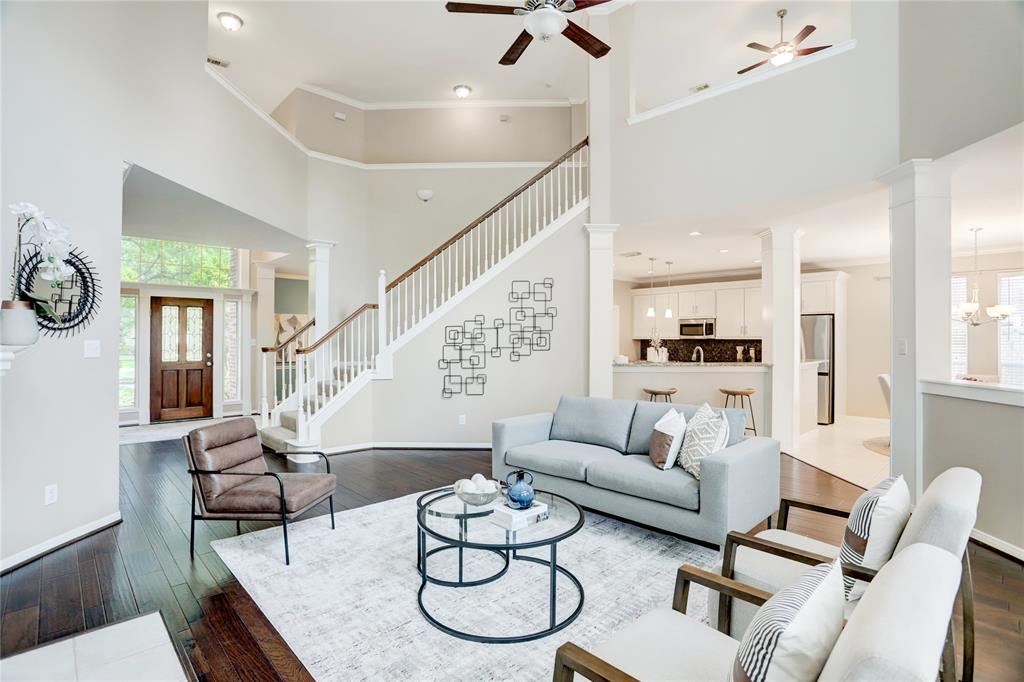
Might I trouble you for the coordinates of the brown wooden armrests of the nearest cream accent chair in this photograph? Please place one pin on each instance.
(571, 659)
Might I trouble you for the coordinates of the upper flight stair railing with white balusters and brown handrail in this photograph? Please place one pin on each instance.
(474, 250)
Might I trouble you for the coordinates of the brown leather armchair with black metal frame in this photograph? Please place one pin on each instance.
(232, 483)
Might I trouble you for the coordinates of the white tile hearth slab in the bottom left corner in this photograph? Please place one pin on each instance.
(136, 650)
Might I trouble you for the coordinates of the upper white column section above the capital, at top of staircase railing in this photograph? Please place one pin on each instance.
(600, 126)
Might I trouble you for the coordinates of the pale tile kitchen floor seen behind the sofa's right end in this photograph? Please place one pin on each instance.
(840, 450)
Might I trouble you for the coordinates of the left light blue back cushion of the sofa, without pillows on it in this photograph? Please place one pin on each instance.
(598, 421)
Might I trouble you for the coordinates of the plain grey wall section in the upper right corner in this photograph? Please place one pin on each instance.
(951, 98)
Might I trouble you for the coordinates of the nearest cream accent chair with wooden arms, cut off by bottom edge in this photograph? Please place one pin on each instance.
(897, 634)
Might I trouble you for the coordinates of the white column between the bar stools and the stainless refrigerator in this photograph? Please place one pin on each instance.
(781, 332)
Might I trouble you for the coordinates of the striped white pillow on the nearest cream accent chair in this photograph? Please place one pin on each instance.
(794, 632)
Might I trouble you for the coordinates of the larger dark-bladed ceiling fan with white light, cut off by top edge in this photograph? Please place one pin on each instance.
(542, 20)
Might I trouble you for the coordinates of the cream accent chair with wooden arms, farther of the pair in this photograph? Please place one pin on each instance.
(944, 518)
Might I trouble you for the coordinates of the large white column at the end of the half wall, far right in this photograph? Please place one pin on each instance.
(920, 265)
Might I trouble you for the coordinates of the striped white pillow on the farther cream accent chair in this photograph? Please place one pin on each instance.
(876, 524)
